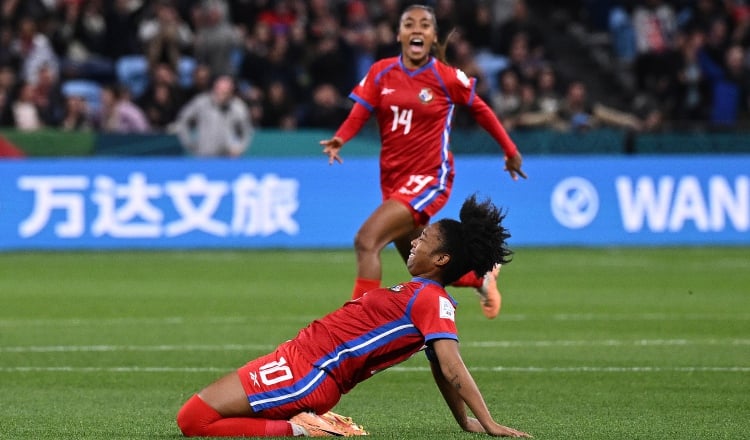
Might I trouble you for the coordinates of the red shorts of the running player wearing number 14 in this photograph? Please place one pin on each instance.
(423, 195)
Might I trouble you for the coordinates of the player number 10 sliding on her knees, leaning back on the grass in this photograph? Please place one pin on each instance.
(291, 391)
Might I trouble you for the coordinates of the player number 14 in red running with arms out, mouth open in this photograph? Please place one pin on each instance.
(414, 97)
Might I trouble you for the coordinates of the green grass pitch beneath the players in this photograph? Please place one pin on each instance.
(645, 343)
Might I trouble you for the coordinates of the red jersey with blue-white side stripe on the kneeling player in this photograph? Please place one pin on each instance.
(382, 328)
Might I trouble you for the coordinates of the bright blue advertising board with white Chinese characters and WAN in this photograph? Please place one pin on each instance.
(304, 202)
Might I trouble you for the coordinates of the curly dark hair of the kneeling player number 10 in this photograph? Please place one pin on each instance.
(477, 242)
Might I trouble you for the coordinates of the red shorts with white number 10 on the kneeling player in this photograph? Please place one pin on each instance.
(282, 384)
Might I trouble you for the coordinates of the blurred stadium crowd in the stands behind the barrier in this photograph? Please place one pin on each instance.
(645, 65)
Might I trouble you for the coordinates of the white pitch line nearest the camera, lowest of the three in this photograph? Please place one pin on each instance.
(498, 369)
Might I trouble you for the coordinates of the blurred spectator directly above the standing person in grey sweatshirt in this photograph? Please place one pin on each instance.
(215, 37)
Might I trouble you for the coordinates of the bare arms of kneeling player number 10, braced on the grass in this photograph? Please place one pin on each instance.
(459, 391)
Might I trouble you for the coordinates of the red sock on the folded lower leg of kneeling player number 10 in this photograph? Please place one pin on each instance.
(197, 419)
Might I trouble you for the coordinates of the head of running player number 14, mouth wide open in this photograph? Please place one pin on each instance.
(417, 34)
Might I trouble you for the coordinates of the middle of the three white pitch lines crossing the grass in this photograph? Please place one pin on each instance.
(477, 344)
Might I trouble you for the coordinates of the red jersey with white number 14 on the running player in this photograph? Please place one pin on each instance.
(414, 109)
